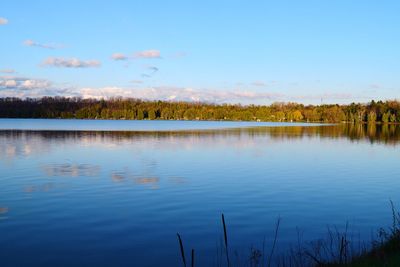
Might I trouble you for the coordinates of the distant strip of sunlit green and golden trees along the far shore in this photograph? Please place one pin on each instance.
(135, 109)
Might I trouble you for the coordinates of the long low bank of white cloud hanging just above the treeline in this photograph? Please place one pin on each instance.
(15, 86)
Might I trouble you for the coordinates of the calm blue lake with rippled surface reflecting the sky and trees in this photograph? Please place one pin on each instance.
(115, 193)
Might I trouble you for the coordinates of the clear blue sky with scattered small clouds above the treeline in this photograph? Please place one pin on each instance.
(219, 51)
